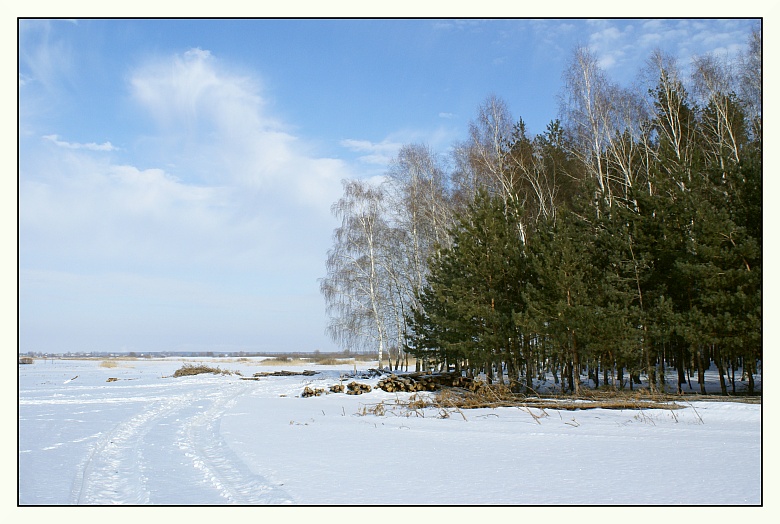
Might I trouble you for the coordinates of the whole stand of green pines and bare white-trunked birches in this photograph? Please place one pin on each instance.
(623, 243)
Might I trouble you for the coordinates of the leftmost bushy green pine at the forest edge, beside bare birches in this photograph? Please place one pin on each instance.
(467, 308)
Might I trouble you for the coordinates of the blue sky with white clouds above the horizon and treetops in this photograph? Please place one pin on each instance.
(175, 177)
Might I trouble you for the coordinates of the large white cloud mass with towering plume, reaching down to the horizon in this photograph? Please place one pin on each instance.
(230, 204)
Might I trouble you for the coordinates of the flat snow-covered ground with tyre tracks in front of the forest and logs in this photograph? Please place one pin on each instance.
(151, 439)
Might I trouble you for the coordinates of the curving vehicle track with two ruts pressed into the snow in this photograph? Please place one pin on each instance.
(192, 460)
